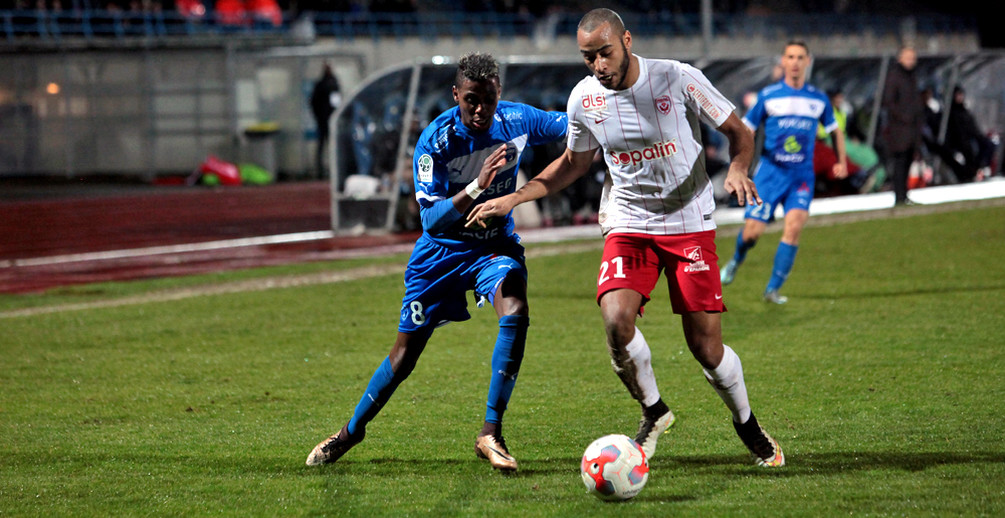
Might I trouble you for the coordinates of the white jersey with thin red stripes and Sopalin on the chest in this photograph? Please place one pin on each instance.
(657, 183)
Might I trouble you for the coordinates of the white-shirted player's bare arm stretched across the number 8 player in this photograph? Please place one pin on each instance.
(557, 177)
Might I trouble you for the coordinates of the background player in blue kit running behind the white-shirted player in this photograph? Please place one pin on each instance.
(790, 111)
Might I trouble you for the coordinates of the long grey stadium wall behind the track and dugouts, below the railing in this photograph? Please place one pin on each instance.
(147, 111)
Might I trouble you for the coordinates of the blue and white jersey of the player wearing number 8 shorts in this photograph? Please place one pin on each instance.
(449, 156)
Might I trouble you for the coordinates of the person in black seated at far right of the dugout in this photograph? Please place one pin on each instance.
(964, 137)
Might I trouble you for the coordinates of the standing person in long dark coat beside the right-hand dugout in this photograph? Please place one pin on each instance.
(903, 121)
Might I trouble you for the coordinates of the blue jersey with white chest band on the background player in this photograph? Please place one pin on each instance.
(790, 119)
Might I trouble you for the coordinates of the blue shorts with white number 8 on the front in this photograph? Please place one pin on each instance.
(438, 280)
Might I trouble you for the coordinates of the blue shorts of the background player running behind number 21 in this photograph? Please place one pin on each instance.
(790, 189)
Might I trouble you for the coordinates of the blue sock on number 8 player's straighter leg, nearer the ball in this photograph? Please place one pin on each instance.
(507, 358)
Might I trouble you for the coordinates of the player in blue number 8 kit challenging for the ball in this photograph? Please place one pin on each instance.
(468, 155)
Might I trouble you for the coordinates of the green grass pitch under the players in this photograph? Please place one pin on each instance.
(882, 380)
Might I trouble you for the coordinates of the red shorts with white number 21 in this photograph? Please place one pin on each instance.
(635, 262)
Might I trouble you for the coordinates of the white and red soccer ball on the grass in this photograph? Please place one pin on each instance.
(615, 468)
